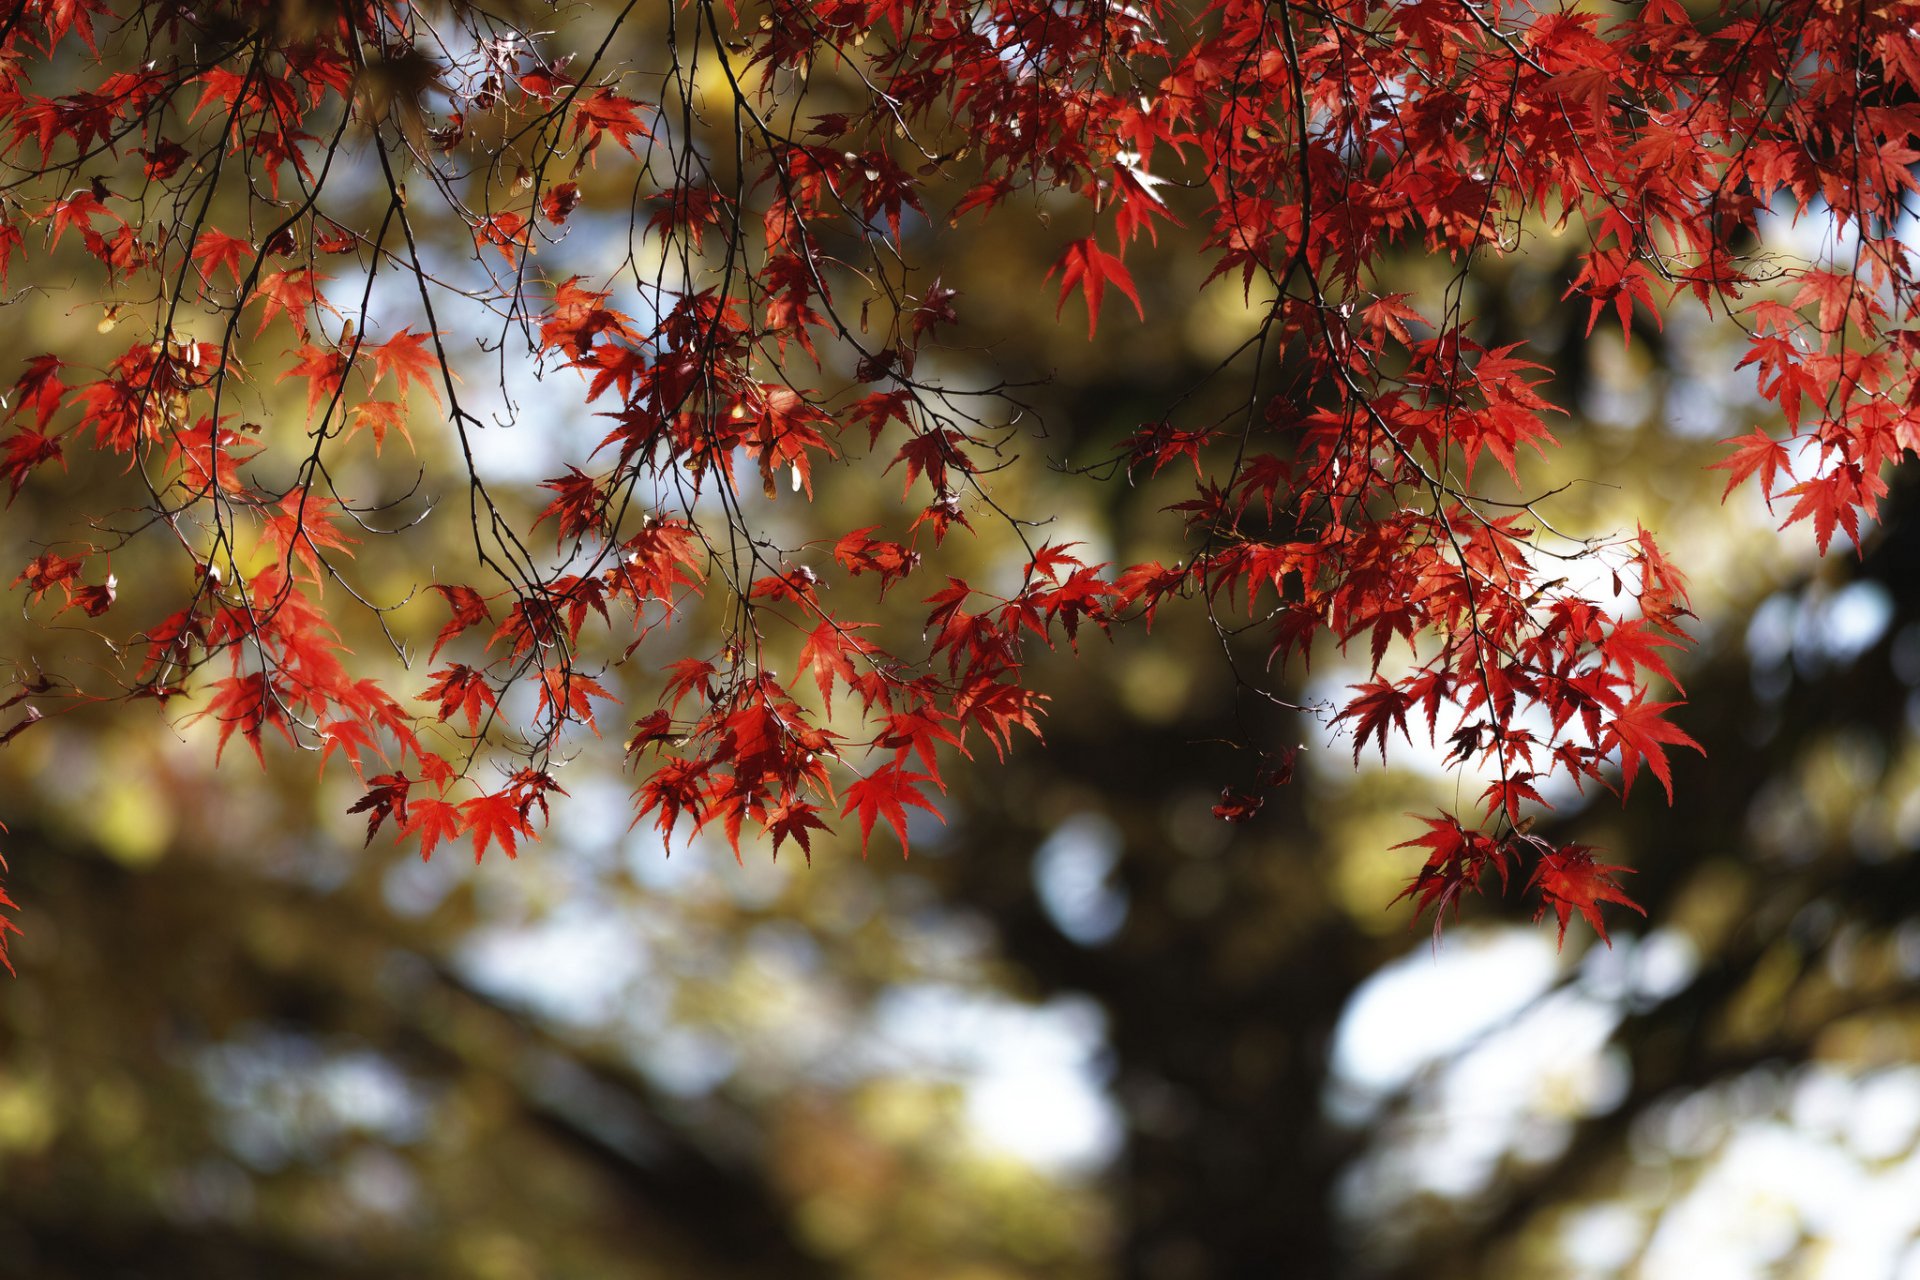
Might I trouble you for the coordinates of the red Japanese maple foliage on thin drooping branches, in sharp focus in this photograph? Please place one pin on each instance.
(318, 239)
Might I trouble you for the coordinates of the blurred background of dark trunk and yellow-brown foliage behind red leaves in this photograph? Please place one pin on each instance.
(1088, 1030)
